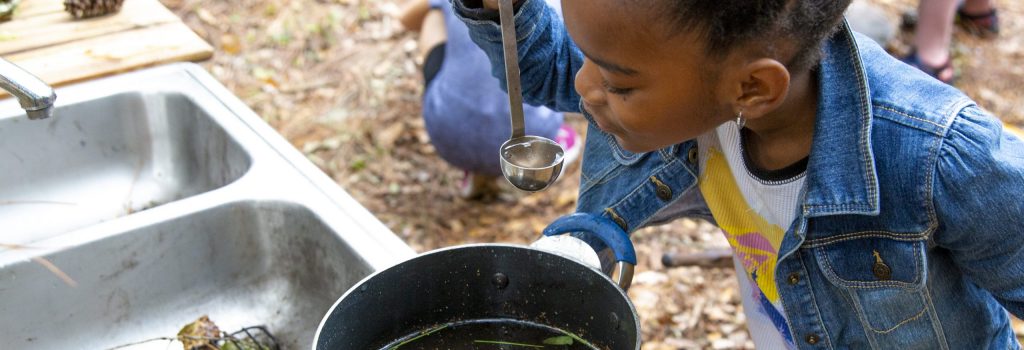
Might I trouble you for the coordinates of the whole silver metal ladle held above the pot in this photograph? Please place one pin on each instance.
(530, 163)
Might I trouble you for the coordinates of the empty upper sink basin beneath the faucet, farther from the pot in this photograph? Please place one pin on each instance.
(105, 158)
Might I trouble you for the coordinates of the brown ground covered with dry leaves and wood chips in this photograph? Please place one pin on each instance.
(338, 79)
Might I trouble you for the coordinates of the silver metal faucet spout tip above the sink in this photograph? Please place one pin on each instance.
(35, 97)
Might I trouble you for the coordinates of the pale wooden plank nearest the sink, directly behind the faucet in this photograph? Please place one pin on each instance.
(114, 54)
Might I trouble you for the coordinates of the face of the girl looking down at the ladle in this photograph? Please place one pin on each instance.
(647, 89)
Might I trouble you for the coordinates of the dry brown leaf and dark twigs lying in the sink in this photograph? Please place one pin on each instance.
(203, 334)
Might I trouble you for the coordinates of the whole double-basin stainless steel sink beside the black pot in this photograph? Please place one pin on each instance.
(163, 198)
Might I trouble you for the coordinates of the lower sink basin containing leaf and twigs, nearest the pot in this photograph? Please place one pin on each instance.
(243, 265)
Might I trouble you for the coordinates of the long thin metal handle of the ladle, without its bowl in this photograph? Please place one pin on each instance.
(511, 68)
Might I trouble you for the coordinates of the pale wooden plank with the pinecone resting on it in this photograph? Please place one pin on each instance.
(59, 28)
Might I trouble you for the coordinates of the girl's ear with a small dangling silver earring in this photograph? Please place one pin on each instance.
(764, 85)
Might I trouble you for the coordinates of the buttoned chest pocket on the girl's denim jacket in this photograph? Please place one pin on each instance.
(884, 280)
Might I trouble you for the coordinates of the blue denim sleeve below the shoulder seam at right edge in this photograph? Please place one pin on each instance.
(979, 201)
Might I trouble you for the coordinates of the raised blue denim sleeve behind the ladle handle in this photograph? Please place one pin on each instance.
(548, 59)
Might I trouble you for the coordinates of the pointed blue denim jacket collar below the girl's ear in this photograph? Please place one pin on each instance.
(842, 180)
